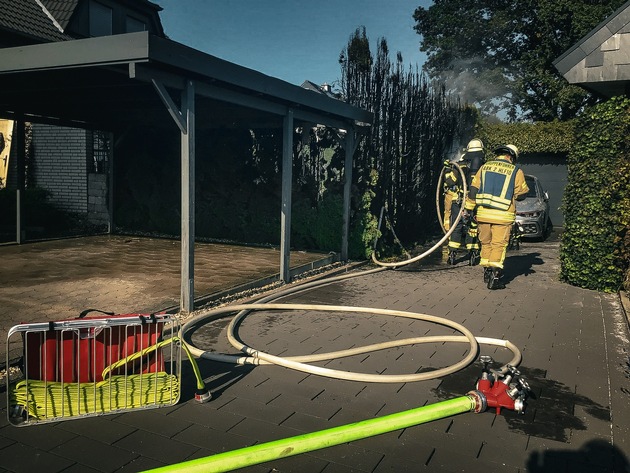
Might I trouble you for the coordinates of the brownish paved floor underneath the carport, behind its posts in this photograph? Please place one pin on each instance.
(58, 279)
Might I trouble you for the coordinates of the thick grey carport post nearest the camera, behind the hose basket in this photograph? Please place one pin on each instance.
(188, 200)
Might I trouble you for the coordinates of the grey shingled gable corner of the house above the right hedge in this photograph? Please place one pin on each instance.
(600, 62)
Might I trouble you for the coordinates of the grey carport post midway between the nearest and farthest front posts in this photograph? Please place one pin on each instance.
(287, 177)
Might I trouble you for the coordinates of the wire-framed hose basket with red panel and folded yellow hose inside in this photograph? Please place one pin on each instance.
(94, 366)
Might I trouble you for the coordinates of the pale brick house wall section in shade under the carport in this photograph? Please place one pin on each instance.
(60, 165)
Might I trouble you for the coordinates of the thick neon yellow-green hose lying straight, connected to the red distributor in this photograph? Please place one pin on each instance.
(277, 449)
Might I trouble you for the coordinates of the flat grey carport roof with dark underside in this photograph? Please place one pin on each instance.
(112, 82)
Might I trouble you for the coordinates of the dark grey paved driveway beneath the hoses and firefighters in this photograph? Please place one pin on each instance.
(575, 355)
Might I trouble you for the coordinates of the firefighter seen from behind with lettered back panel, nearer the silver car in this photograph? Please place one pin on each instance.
(493, 192)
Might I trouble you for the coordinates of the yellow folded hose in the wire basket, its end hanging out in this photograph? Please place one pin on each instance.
(48, 400)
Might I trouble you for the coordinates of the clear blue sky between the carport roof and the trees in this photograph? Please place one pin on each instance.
(293, 40)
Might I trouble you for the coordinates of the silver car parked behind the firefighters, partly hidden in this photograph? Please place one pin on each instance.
(532, 213)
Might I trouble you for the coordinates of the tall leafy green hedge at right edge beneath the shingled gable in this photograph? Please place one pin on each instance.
(597, 199)
